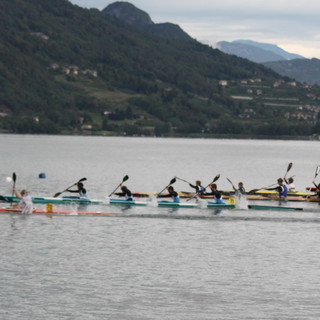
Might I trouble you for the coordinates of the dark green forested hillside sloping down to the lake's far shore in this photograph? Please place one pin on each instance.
(64, 69)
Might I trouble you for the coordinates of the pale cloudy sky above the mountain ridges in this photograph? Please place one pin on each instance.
(293, 25)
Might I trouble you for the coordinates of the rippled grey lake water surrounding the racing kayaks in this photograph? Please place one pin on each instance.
(157, 263)
